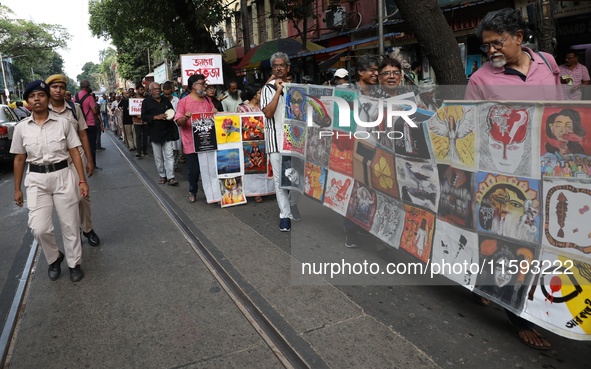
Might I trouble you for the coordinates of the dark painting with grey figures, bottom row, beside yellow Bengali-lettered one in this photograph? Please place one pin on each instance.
(506, 272)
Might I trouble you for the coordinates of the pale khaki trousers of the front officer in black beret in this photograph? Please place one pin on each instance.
(57, 189)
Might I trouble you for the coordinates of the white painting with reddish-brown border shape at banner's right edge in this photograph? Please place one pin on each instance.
(566, 217)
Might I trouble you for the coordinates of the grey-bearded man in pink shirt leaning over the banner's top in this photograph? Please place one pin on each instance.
(514, 72)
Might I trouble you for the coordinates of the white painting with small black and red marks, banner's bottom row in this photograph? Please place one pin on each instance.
(455, 254)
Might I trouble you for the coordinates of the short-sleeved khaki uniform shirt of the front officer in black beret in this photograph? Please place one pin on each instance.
(47, 143)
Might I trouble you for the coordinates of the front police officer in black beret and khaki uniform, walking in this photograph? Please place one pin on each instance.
(46, 142)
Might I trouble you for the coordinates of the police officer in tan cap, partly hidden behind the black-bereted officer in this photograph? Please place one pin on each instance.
(57, 104)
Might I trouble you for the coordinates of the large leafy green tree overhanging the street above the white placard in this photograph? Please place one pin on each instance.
(139, 27)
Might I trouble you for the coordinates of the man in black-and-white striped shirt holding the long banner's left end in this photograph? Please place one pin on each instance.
(272, 96)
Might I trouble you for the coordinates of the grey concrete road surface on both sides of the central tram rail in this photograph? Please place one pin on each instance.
(148, 301)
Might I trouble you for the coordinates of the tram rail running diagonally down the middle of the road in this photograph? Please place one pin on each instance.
(285, 352)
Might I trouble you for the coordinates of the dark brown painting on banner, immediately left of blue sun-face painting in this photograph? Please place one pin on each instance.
(456, 197)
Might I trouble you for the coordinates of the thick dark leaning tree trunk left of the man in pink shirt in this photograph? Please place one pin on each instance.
(426, 21)
